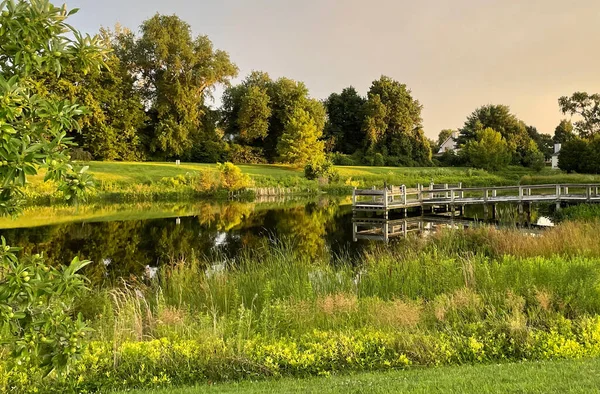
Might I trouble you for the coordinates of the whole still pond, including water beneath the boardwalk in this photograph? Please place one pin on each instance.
(128, 238)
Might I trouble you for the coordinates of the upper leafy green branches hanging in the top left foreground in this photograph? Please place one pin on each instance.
(33, 127)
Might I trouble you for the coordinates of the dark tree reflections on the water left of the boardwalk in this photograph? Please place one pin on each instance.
(136, 245)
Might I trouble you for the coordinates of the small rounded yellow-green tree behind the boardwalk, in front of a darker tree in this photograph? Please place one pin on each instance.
(489, 150)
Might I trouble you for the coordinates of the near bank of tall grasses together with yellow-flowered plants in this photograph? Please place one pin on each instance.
(456, 298)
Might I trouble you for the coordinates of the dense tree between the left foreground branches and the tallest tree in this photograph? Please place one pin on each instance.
(115, 114)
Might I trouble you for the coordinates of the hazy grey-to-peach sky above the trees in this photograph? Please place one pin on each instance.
(454, 55)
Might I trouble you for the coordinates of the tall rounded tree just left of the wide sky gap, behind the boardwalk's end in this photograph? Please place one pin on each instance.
(393, 122)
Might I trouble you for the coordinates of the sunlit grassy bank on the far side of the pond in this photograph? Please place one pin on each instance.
(131, 181)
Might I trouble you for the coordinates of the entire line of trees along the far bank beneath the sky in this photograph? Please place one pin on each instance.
(150, 102)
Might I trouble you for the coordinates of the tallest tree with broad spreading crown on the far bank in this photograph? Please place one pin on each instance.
(175, 73)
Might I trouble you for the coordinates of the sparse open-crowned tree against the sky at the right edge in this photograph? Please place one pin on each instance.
(587, 106)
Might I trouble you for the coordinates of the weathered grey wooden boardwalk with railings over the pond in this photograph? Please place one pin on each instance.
(391, 198)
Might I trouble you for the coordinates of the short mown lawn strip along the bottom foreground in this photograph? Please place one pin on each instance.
(580, 376)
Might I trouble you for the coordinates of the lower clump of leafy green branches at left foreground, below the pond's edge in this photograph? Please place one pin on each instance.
(36, 309)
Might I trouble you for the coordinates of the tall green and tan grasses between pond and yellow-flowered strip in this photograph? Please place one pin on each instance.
(476, 275)
